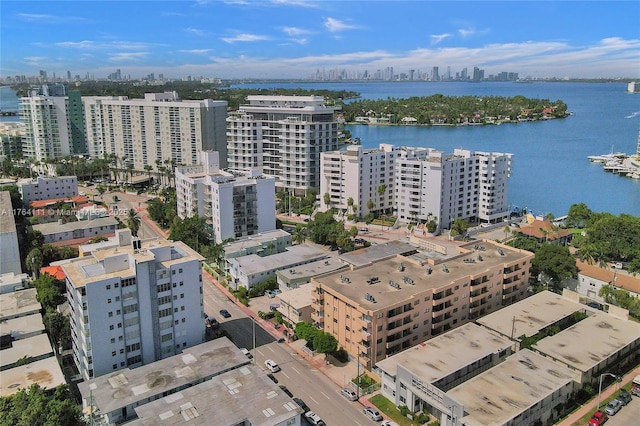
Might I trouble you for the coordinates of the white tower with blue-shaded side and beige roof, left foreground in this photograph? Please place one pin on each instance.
(134, 304)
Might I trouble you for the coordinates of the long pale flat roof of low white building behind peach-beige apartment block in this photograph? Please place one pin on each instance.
(253, 264)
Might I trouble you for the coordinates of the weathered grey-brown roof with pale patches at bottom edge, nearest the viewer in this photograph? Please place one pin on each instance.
(234, 397)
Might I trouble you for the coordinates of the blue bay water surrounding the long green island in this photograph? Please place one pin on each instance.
(550, 166)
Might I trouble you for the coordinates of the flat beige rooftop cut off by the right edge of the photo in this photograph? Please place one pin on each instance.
(599, 337)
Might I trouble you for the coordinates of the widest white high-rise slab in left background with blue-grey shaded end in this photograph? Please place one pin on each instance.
(155, 129)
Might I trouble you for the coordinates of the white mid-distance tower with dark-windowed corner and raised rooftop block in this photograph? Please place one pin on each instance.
(235, 203)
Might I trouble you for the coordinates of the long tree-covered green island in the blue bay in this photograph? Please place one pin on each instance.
(440, 110)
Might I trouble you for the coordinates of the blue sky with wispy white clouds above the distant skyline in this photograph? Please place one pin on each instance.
(294, 38)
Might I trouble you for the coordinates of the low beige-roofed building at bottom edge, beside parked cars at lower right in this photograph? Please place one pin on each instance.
(524, 389)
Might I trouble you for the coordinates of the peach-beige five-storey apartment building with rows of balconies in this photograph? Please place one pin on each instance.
(386, 306)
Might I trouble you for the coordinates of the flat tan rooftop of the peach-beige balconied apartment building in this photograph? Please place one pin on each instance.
(353, 284)
